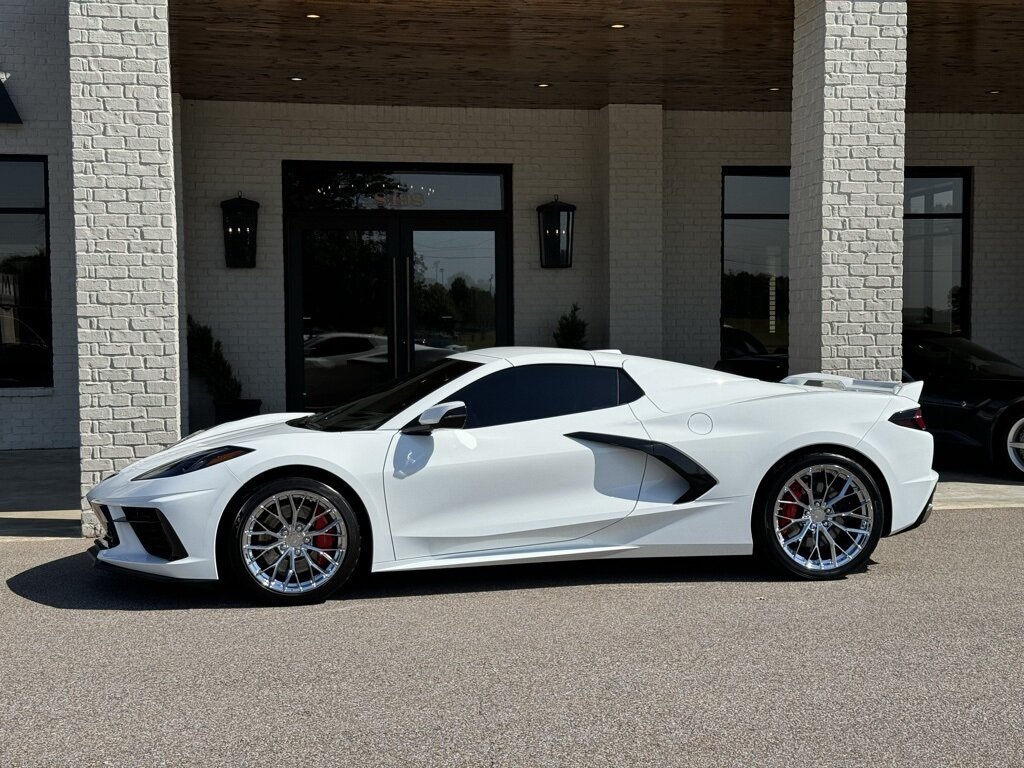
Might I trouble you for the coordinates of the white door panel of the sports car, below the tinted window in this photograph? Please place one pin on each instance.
(484, 490)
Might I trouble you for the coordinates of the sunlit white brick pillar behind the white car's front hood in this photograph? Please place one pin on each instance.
(125, 234)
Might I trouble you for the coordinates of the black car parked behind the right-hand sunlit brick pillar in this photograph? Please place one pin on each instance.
(973, 402)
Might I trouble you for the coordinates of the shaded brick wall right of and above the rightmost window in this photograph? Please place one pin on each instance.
(994, 147)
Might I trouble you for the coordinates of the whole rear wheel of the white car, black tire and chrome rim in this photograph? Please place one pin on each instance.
(829, 519)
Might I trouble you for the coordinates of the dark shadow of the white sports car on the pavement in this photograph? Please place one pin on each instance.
(72, 583)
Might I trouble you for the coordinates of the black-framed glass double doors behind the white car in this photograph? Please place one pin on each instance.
(390, 268)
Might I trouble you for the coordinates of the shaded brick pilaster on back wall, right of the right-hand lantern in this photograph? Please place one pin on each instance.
(631, 137)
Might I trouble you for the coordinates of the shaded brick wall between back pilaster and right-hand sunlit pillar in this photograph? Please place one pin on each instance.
(698, 146)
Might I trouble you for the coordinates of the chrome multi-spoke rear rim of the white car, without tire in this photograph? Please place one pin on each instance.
(824, 518)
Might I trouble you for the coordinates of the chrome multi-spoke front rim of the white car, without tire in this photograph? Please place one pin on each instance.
(293, 542)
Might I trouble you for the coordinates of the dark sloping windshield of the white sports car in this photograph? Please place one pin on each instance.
(375, 410)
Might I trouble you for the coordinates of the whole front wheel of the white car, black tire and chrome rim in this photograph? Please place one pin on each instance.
(307, 529)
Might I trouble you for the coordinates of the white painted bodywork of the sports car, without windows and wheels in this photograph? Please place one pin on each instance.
(526, 492)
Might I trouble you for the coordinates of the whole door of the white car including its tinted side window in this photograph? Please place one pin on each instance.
(513, 478)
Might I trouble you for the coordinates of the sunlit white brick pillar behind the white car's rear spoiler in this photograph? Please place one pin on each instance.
(846, 210)
